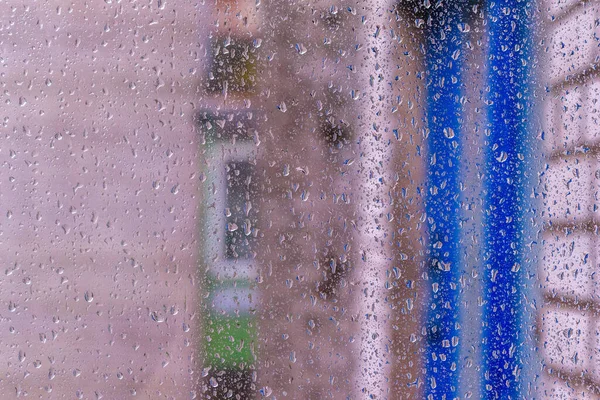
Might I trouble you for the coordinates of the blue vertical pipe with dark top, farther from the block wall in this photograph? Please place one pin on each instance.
(442, 201)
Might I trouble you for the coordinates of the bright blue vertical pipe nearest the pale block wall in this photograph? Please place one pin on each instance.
(509, 23)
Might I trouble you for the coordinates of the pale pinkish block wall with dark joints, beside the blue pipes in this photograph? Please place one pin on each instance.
(569, 321)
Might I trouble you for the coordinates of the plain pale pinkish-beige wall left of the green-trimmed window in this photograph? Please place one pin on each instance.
(99, 195)
